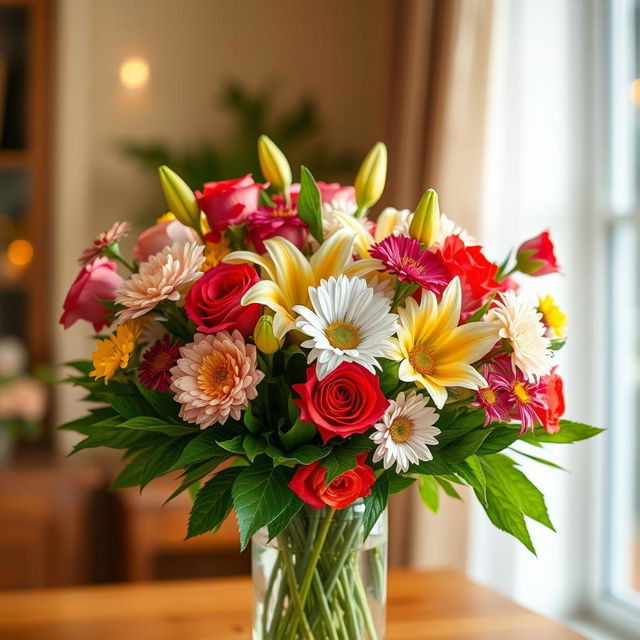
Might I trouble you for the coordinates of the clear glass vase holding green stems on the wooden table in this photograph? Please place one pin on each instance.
(319, 579)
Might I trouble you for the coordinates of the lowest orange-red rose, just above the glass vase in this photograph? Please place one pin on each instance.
(308, 484)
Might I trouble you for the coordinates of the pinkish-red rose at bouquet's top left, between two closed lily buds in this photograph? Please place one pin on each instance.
(229, 202)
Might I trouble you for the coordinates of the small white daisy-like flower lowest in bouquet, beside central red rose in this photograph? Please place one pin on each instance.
(407, 427)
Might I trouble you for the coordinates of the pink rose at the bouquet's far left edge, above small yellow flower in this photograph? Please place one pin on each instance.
(99, 280)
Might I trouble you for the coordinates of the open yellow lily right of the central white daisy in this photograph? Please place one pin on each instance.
(434, 351)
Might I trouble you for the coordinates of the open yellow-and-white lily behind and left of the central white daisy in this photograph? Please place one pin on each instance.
(290, 274)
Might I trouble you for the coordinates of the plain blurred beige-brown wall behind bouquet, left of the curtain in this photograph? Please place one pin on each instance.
(334, 50)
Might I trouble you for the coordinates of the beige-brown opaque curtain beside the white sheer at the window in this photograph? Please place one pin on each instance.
(437, 105)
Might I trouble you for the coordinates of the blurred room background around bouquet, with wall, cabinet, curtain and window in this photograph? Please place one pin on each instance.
(523, 114)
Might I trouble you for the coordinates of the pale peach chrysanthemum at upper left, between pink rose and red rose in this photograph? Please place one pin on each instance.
(164, 276)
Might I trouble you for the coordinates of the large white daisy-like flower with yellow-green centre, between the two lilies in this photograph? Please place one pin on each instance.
(349, 322)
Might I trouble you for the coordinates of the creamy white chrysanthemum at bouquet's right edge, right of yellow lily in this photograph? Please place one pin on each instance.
(520, 324)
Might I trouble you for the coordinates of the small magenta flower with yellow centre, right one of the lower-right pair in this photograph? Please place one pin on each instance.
(524, 397)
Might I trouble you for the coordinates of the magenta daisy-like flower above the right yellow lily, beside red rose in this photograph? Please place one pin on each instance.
(402, 256)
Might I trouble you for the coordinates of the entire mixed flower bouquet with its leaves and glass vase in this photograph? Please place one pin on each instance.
(298, 361)
